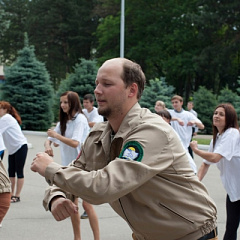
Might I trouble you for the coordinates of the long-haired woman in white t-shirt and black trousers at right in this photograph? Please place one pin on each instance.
(225, 152)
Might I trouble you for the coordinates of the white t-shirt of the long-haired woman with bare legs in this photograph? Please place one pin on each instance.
(78, 130)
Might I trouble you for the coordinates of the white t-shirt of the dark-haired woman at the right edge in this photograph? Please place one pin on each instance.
(228, 145)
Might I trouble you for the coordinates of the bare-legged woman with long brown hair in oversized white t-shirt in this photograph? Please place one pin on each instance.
(70, 133)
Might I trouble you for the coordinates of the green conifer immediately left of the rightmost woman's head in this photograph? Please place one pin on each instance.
(204, 104)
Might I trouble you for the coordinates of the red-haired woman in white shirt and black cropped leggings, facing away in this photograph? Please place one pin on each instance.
(16, 145)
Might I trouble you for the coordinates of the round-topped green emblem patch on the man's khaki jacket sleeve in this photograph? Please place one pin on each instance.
(132, 151)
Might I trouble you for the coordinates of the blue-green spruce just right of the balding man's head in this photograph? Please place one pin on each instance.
(157, 89)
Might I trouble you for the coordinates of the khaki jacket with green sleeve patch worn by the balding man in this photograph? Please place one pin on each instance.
(143, 173)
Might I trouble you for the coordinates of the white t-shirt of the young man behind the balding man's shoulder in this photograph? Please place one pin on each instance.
(184, 132)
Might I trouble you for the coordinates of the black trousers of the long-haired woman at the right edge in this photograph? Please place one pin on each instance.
(233, 218)
